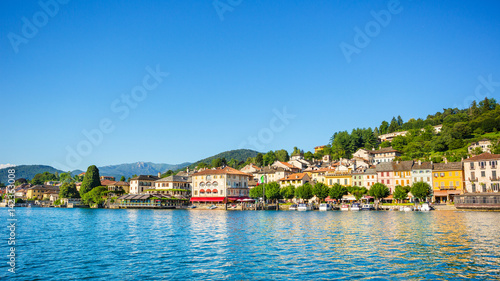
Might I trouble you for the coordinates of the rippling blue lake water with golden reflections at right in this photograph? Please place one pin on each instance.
(75, 244)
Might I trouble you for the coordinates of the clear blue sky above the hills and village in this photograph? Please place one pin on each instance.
(227, 74)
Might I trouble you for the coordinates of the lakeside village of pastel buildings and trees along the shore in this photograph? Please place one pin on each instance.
(372, 178)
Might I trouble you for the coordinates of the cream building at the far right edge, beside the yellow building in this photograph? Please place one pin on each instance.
(482, 173)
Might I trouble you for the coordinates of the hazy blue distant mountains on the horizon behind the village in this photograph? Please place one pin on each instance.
(127, 170)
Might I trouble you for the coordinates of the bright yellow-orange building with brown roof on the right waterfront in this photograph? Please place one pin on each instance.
(447, 181)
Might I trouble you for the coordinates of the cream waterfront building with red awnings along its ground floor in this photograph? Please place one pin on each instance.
(220, 185)
